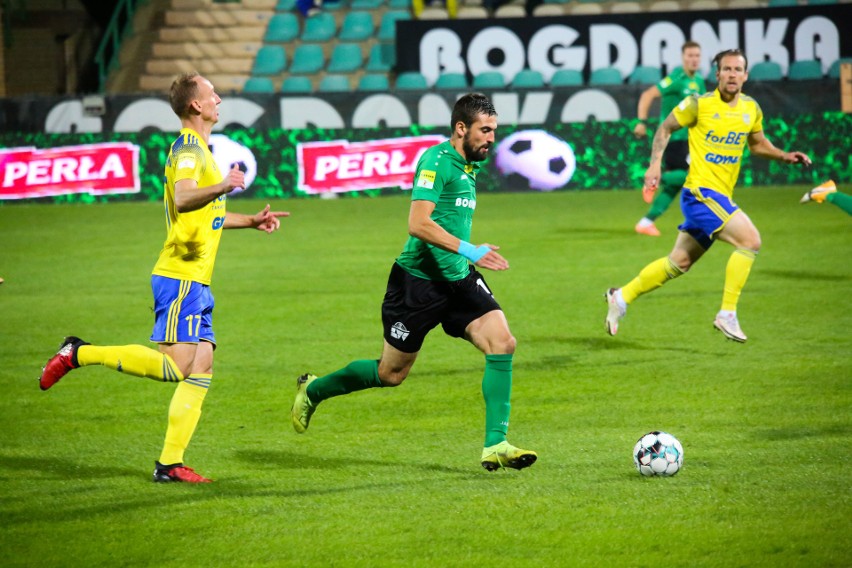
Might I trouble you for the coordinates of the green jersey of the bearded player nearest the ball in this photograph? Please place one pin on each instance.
(446, 179)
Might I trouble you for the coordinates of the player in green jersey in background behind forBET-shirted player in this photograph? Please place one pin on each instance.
(680, 83)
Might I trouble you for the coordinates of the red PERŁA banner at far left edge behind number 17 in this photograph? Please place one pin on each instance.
(98, 169)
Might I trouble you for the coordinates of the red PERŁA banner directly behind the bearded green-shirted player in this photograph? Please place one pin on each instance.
(334, 167)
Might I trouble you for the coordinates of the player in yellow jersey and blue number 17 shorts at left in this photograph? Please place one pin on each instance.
(194, 195)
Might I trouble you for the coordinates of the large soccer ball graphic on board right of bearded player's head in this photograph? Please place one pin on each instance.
(544, 161)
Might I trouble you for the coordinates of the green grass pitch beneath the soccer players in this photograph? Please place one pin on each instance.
(391, 477)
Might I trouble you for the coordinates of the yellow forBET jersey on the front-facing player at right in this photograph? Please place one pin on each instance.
(718, 134)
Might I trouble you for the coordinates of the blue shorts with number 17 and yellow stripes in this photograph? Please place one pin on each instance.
(183, 311)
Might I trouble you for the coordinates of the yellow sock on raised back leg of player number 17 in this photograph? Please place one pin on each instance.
(136, 360)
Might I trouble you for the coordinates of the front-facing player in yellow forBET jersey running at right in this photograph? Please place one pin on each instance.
(720, 125)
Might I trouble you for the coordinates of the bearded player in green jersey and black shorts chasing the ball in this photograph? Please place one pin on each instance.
(433, 282)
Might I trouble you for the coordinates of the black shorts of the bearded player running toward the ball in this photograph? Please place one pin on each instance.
(413, 306)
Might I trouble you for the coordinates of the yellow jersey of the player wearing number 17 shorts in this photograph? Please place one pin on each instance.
(193, 237)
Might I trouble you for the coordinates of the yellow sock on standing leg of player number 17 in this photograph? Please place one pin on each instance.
(184, 413)
